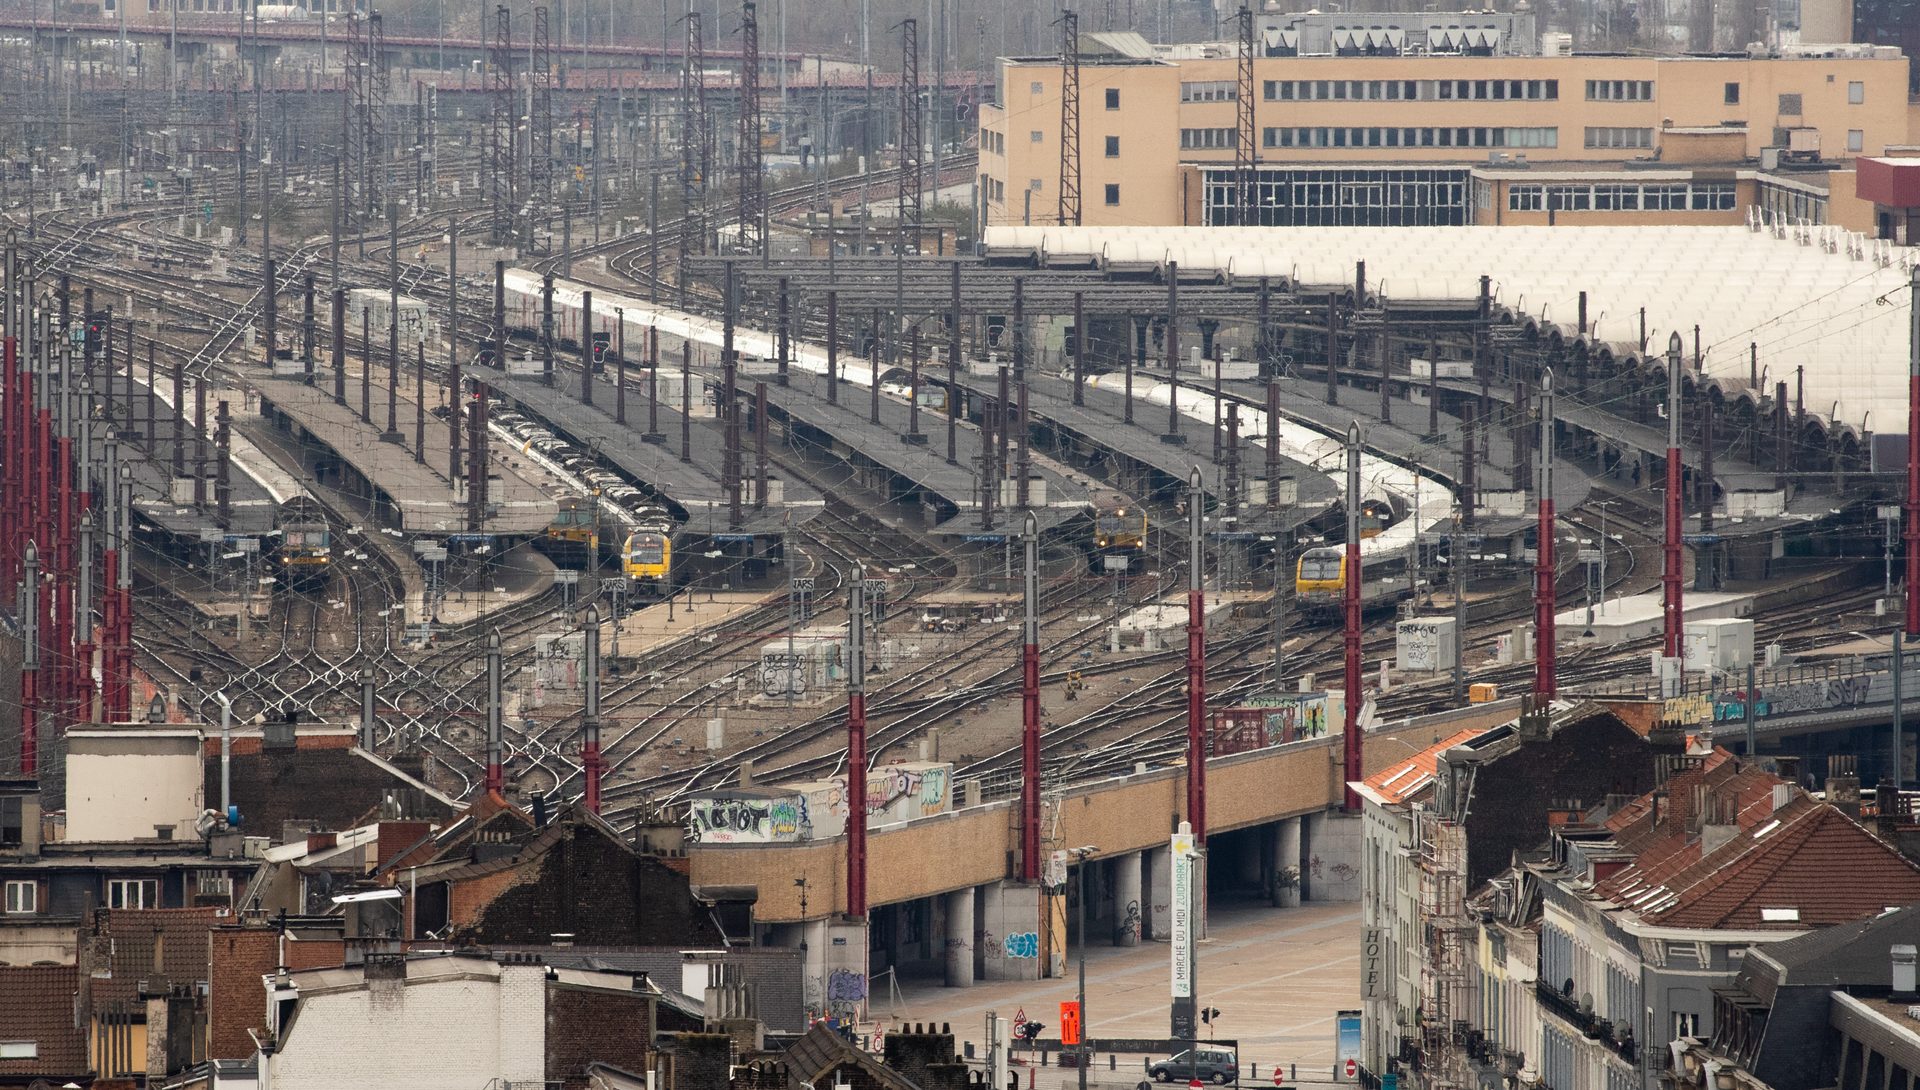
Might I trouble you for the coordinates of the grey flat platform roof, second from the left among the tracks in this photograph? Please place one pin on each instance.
(420, 492)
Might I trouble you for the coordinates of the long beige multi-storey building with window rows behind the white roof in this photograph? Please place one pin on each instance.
(1447, 139)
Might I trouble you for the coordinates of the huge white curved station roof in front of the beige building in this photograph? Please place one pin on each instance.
(1817, 298)
